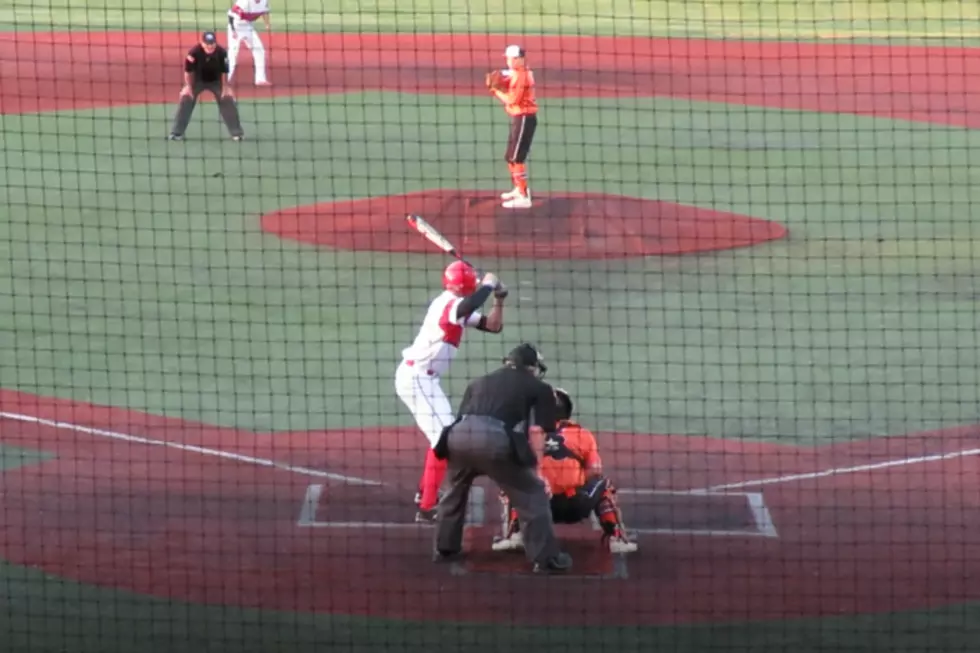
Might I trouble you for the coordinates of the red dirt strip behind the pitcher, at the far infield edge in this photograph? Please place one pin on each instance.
(42, 71)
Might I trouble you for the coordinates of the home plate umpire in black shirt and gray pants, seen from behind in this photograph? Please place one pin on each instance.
(499, 416)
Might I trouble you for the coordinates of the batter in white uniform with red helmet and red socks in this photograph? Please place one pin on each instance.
(430, 356)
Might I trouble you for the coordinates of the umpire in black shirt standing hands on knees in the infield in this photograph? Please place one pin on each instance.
(206, 69)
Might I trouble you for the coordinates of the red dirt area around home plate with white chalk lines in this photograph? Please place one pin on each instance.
(197, 513)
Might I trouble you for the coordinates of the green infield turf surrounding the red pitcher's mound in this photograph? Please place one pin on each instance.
(148, 293)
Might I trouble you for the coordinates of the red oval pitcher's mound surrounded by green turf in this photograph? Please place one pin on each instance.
(558, 226)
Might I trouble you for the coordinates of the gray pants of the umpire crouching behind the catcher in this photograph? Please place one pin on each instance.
(479, 446)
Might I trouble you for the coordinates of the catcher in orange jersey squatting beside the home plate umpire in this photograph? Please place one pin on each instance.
(572, 470)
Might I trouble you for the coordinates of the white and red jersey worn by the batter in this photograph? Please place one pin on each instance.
(441, 333)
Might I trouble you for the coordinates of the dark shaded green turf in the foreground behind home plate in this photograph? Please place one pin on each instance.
(42, 614)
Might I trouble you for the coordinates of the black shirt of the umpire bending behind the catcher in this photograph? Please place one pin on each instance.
(513, 396)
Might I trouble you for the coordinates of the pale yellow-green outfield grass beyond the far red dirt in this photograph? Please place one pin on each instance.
(772, 19)
